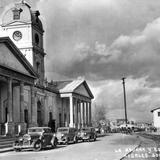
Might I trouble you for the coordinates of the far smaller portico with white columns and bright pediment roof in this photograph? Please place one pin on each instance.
(79, 98)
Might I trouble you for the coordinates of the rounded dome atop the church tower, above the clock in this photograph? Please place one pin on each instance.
(21, 12)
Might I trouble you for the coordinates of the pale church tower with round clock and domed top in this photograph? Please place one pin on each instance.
(25, 29)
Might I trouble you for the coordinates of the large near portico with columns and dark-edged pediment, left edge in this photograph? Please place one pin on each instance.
(15, 78)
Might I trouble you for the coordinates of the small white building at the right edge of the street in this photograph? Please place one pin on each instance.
(156, 117)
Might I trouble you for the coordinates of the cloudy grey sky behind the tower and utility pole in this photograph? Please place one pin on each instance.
(102, 41)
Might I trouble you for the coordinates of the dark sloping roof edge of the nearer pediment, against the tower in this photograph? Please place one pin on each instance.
(13, 47)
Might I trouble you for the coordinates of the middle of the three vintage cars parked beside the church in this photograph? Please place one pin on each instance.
(66, 135)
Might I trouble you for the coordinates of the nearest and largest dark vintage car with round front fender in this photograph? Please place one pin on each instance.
(36, 138)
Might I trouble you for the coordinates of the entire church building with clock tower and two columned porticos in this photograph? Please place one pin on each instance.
(26, 98)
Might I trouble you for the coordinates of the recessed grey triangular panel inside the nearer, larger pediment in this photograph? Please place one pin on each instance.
(10, 60)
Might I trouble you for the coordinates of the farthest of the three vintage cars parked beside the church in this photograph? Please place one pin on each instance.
(87, 134)
